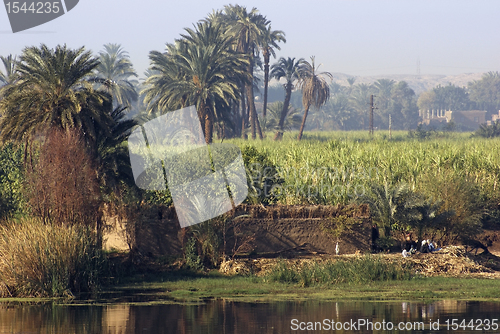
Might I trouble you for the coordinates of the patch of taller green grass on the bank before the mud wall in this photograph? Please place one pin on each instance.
(357, 271)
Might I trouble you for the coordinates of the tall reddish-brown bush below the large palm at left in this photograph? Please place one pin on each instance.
(62, 186)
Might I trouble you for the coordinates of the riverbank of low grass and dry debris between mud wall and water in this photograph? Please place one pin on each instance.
(448, 274)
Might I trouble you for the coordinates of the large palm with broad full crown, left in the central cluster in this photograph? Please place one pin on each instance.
(202, 70)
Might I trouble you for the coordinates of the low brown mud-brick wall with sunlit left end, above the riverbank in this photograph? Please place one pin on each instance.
(267, 231)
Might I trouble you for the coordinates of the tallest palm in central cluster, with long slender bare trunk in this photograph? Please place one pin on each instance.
(247, 28)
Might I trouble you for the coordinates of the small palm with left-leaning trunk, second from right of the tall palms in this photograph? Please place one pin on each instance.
(289, 69)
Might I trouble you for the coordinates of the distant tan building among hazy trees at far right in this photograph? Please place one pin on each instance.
(466, 119)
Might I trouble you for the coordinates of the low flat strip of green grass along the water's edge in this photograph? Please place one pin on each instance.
(253, 289)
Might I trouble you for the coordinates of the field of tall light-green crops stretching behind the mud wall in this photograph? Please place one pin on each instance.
(336, 167)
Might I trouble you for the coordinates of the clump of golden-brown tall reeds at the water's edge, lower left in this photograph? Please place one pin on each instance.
(46, 260)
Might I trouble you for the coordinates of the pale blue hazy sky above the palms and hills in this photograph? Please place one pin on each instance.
(357, 37)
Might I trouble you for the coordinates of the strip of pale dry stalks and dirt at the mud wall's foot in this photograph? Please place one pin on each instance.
(450, 261)
